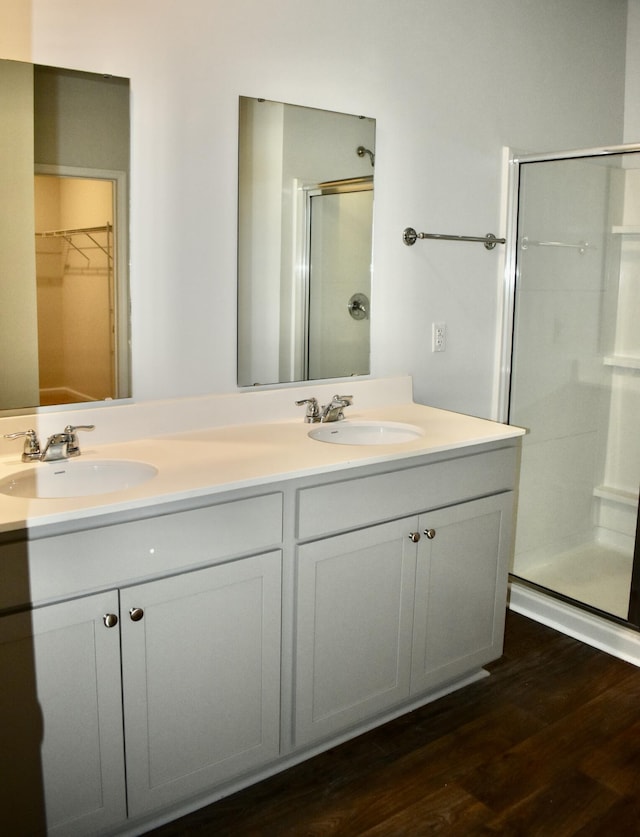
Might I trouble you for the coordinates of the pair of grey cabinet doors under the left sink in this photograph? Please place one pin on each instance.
(200, 691)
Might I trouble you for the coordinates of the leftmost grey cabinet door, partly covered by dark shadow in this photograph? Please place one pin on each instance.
(61, 753)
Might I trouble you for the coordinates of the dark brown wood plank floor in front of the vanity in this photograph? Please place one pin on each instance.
(548, 745)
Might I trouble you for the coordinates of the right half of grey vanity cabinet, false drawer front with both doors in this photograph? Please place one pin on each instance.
(387, 613)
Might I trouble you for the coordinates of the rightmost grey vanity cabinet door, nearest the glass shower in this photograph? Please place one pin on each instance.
(461, 589)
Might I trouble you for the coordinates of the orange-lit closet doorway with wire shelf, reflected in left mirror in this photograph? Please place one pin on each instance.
(76, 288)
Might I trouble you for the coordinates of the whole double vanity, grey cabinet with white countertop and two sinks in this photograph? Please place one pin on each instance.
(246, 594)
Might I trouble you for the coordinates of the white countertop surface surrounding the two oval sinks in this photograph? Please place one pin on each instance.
(197, 463)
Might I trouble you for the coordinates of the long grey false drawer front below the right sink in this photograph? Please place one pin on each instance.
(338, 506)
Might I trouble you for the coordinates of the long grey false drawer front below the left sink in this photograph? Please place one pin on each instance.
(64, 565)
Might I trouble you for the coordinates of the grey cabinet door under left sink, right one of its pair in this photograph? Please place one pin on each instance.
(201, 678)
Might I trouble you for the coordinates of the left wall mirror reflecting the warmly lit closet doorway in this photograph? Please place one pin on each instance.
(64, 290)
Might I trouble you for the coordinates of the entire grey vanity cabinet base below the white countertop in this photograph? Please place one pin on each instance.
(154, 664)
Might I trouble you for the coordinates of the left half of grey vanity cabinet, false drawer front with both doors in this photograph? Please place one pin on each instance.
(187, 664)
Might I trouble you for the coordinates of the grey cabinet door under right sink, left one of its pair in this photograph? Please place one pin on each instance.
(354, 617)
